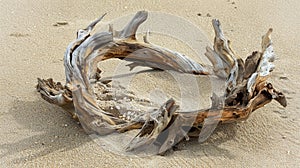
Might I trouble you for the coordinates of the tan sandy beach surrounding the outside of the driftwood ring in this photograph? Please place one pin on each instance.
(35, 133)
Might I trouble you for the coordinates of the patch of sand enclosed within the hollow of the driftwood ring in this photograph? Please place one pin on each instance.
(191, 92)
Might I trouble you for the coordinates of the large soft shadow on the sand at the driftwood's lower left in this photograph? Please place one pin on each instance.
(50, 129)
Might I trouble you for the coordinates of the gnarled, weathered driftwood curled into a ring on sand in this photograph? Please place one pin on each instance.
(246, 85)
